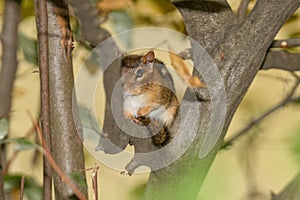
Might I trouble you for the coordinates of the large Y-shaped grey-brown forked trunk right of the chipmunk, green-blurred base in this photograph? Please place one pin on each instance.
(243, 46)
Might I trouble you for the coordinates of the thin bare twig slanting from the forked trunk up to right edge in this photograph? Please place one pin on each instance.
(288, 99)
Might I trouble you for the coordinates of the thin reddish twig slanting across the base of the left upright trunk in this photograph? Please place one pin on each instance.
(52, 162)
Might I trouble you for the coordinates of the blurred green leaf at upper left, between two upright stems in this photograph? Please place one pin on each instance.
(29, 47)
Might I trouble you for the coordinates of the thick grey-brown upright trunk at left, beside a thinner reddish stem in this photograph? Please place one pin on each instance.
(66, 144)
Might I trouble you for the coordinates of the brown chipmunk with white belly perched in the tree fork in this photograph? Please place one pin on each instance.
(149, 95)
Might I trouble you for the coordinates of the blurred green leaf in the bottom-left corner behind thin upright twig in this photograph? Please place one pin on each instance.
(32, 190)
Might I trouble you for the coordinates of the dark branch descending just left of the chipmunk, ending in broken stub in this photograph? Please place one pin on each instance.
(88, 17)
